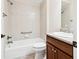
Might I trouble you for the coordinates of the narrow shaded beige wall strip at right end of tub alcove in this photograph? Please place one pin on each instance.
(43, 19)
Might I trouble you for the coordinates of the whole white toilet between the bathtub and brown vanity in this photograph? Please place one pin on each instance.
(39, 50)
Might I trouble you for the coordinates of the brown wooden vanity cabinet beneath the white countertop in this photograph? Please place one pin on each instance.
(57, 49)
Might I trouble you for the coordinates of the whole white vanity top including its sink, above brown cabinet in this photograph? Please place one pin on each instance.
(63, 36)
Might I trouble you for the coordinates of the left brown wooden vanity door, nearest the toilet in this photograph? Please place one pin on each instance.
(50, 52)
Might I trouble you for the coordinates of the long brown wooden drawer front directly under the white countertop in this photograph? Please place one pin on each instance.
(61, 45)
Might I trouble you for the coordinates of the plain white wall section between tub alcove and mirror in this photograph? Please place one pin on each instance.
(53, 15)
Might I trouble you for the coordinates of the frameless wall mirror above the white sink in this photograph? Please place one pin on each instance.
(67, 16)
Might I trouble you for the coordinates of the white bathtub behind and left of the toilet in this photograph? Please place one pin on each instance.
(21, 48)
